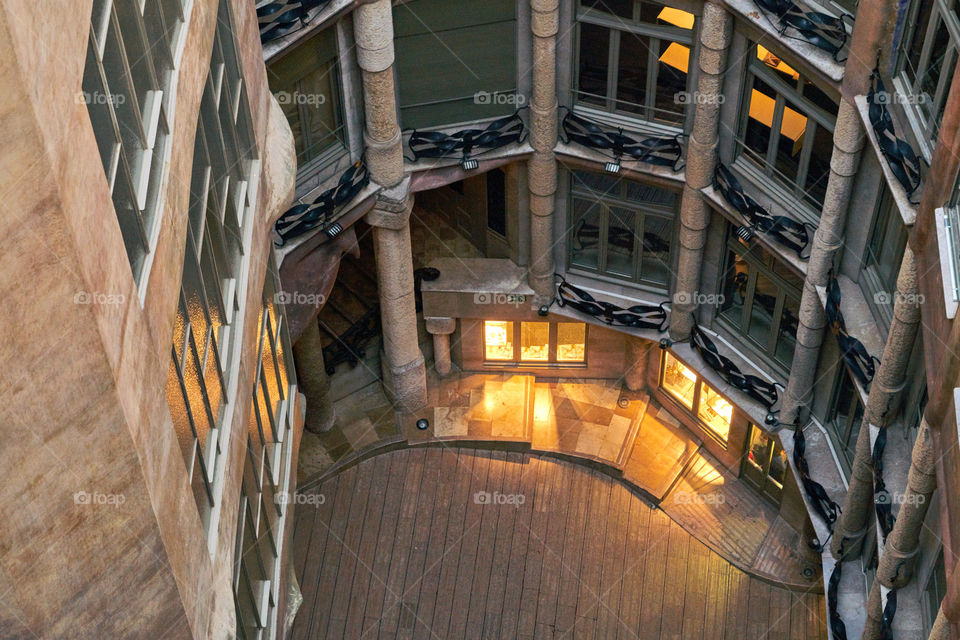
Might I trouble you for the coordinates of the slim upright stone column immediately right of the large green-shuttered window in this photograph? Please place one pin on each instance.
(542, 167)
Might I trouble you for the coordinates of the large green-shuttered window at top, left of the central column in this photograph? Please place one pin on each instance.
(455, 65)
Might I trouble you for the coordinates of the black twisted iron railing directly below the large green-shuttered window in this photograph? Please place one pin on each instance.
(467, 142)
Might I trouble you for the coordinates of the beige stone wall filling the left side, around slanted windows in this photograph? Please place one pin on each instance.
(84, 408)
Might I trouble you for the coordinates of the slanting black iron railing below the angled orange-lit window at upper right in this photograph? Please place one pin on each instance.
(784, 230)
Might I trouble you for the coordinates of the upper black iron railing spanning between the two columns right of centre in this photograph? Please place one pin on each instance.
(661, 151)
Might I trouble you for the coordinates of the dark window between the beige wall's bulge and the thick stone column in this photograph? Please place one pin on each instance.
(306, 84)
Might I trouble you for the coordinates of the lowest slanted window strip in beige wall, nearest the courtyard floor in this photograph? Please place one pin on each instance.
(266, 483)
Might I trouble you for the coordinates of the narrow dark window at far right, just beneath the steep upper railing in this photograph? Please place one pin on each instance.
(883, 256)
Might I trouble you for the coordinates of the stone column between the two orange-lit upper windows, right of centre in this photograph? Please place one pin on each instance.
(716, 28)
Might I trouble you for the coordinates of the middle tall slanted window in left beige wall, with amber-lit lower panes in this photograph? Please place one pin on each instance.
(202, 354)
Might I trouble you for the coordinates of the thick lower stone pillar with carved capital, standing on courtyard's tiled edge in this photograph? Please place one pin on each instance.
(404, 374)
